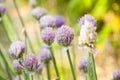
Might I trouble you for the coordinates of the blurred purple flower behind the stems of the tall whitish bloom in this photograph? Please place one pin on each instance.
(83, 64)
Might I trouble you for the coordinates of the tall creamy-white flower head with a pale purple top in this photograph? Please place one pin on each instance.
(88, 33)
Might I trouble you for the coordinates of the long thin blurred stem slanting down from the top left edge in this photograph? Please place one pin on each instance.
(23, 25)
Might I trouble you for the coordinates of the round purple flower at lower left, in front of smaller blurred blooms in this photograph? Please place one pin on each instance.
(30, 62)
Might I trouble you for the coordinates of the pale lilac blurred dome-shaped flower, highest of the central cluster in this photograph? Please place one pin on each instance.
(38, 12)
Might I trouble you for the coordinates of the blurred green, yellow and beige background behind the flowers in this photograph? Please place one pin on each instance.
(106, 12)
